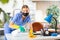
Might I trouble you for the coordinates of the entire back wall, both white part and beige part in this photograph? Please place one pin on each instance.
(35, 7)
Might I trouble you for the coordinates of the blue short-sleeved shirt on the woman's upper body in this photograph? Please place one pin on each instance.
(17, 19)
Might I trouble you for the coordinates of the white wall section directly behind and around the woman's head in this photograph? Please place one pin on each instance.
(14, 5)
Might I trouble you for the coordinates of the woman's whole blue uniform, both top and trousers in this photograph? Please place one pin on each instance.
(17, 19)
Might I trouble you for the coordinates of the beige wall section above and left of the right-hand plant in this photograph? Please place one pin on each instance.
(43, 5)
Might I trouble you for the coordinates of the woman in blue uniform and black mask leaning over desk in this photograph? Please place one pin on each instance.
(18, 20)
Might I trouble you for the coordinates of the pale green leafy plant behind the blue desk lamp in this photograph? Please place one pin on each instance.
(55, 11)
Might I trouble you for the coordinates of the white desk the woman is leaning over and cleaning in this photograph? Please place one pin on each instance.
(24, 36)
